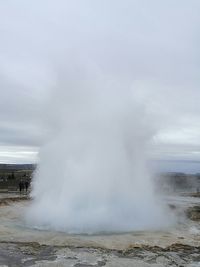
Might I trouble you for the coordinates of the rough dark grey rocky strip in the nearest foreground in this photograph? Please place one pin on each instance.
(34, 254)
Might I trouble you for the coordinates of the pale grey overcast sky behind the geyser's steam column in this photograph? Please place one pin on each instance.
(153, 46)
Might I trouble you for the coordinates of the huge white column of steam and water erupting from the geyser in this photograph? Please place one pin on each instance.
(92, 176)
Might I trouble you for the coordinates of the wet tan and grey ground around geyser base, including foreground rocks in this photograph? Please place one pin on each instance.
(20, 245)
